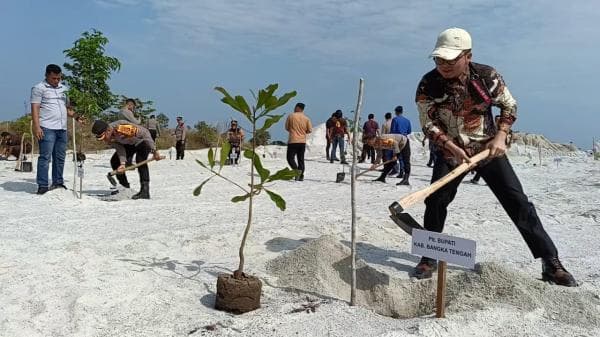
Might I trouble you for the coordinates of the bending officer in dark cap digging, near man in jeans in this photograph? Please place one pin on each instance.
(128, 139)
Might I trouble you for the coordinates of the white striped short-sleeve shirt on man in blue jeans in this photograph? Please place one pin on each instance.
(53, 104)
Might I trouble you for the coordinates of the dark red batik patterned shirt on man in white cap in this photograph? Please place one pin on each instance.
(461, 111)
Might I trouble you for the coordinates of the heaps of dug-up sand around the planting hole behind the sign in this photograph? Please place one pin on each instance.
(322, 266)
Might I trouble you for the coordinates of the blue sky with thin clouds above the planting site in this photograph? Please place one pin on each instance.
(176, 52)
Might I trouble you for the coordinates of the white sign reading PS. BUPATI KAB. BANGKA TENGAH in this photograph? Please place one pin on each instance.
(443, 247)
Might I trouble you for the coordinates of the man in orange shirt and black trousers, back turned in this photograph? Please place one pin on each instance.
(298, 125)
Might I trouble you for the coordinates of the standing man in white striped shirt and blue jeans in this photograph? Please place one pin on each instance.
(49, 110)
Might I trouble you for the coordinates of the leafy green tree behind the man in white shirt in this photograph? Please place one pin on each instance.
(88, 74)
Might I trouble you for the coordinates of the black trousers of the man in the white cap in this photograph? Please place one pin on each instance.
(504, 183)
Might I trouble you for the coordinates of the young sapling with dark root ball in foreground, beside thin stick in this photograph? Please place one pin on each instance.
(240, 292)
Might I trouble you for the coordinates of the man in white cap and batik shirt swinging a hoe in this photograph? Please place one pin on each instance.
(455, 102)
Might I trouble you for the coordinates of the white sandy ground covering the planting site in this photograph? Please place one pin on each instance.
(86, 267)
